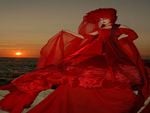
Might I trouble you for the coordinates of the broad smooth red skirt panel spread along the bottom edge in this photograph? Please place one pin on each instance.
(68, 99)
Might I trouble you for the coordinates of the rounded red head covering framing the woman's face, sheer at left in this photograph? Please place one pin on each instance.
(91, 19)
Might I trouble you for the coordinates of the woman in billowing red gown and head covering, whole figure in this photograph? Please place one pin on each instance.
(98, 71)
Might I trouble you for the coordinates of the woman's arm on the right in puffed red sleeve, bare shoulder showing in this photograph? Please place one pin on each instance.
(128, 47)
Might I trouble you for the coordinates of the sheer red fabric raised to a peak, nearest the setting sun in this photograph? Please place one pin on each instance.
(58, 47)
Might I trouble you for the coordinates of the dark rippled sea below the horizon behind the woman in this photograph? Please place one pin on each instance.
(10, 68)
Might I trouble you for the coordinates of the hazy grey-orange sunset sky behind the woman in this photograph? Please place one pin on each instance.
(26, 25)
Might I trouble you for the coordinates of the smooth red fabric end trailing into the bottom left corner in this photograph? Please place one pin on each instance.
(16, 101)
